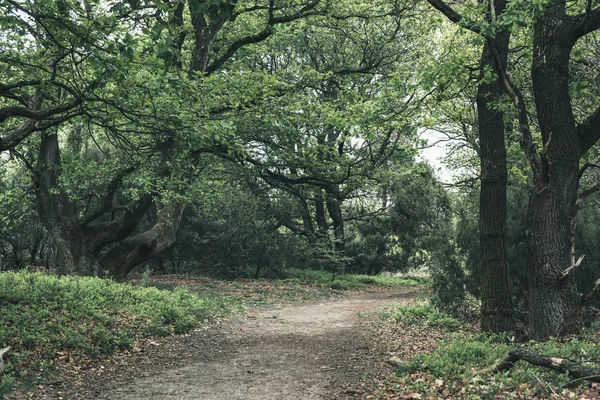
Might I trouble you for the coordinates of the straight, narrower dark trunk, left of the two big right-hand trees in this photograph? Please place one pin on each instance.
(496, 298)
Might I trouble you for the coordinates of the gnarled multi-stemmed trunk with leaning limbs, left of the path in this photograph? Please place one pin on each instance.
(82, 241)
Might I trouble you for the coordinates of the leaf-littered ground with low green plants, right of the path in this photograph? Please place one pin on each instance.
(434, 358)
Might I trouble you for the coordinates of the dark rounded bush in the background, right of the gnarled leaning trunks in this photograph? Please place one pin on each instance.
(231, 231)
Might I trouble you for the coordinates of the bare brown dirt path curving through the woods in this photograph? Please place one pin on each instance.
(316, 350)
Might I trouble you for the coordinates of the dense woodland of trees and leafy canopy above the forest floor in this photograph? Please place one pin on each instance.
(244, 138)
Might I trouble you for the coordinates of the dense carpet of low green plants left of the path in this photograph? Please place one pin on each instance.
(42, 315)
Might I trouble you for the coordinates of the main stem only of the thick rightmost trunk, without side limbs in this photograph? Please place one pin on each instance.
(554, 307)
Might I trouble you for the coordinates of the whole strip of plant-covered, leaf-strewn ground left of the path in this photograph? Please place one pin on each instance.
(51, 321)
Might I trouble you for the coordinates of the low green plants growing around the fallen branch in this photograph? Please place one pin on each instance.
(456, 358)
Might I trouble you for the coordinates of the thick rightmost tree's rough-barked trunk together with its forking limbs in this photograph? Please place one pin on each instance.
(554, 306)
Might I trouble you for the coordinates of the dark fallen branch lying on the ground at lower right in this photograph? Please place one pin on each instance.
(562, 365)
